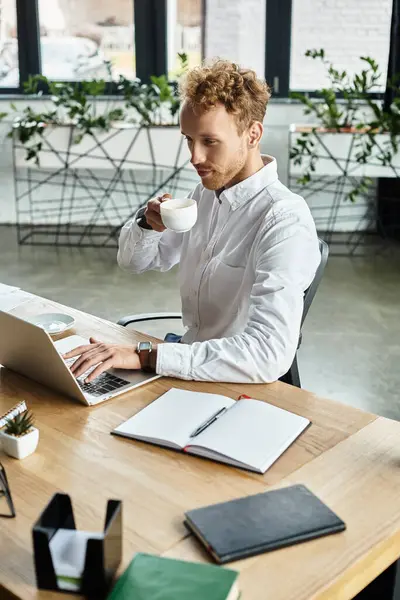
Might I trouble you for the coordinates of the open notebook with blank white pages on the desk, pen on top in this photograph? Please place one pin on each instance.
(245, 433)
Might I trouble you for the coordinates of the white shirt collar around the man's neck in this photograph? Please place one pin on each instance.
(245, 190)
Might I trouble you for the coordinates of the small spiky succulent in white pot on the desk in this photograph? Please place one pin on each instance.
(19, 437)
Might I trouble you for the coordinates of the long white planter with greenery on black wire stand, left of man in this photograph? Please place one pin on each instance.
(84, 161)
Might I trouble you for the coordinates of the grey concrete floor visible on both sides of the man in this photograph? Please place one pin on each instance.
(351, 339)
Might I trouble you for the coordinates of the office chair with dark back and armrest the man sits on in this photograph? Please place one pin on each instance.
(292, 376)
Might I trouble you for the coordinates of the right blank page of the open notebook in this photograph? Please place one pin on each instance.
(253, 433)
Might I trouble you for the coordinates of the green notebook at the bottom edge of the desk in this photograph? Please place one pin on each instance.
(151, 577)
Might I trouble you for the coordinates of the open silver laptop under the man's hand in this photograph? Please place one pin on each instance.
(30, 351)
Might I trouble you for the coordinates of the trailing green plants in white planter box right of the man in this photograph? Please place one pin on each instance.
(353, 134)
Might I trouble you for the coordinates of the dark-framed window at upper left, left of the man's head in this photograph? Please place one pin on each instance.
(75, 40)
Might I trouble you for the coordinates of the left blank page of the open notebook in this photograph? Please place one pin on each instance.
(173, 416)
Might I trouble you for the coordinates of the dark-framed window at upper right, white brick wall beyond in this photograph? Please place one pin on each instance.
(345, 29)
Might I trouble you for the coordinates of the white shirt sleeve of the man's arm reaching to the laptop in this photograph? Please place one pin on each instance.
(287, 259)
